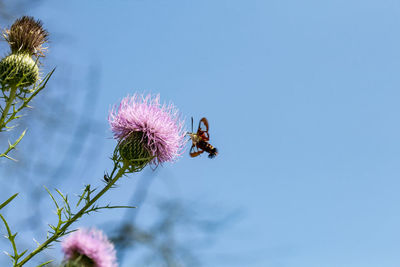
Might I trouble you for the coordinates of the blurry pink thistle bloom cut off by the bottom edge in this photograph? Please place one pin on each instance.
(92, 244)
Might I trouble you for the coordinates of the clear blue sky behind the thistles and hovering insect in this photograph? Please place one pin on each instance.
(303, 103)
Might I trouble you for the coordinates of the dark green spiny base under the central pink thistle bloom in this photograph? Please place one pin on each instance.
(132, 149)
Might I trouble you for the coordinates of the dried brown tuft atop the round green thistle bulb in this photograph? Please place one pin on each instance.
(26, 35)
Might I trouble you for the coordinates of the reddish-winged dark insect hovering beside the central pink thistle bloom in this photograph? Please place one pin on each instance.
(200, 141)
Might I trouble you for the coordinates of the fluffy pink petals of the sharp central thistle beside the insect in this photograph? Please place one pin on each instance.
(159, 126)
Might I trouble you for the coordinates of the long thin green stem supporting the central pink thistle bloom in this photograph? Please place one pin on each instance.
(59, 233)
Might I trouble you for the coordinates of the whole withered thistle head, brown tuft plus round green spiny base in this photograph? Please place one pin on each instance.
(26, 38)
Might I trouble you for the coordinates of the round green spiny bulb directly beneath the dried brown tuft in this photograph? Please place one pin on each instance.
(18, 70)
